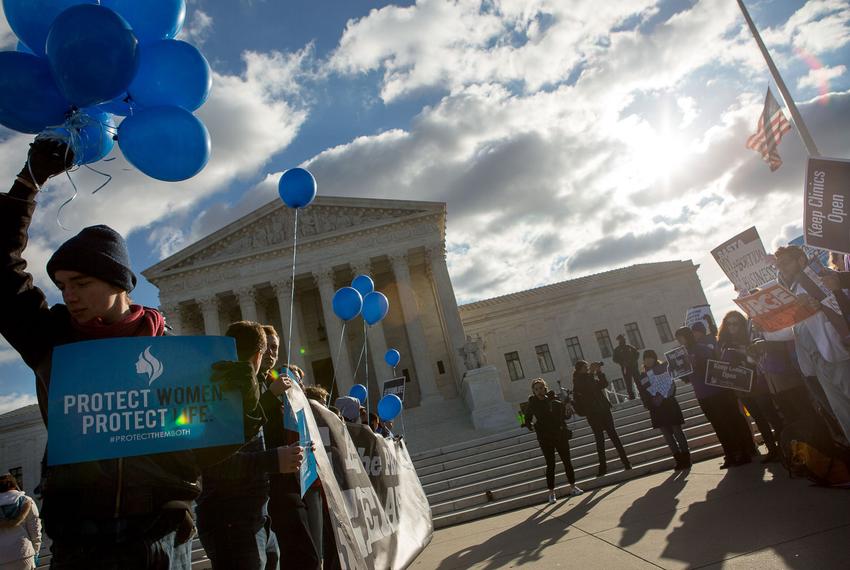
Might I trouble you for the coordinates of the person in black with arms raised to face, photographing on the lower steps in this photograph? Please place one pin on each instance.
(589, 385)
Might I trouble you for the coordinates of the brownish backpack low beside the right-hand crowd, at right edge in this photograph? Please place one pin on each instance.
(809, 451)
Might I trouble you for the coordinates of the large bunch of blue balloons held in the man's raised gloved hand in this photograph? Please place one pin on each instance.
(80, 61)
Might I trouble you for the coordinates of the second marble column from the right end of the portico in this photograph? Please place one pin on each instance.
(415, 331)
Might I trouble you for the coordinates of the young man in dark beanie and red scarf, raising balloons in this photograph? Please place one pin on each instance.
(134, 512)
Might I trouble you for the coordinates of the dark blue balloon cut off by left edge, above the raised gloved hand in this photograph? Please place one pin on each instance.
(29, 100)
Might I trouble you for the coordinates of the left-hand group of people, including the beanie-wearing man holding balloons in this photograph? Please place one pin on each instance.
(244, 501)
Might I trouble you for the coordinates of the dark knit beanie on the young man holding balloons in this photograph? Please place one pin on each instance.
(98, 251)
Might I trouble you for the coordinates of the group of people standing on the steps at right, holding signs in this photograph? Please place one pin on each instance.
(800, 388)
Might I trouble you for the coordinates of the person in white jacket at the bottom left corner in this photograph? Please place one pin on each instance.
(20, 527)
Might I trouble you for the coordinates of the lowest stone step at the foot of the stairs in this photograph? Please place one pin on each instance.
(537, 496)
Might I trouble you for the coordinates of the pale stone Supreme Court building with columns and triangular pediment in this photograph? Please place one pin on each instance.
(244, 271)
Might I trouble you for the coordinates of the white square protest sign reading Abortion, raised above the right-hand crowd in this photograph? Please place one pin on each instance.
(744, 261)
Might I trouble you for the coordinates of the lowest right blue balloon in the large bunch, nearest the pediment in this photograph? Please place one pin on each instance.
(166, 143)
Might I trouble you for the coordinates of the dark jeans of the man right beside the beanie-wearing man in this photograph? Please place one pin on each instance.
(236, 545)
